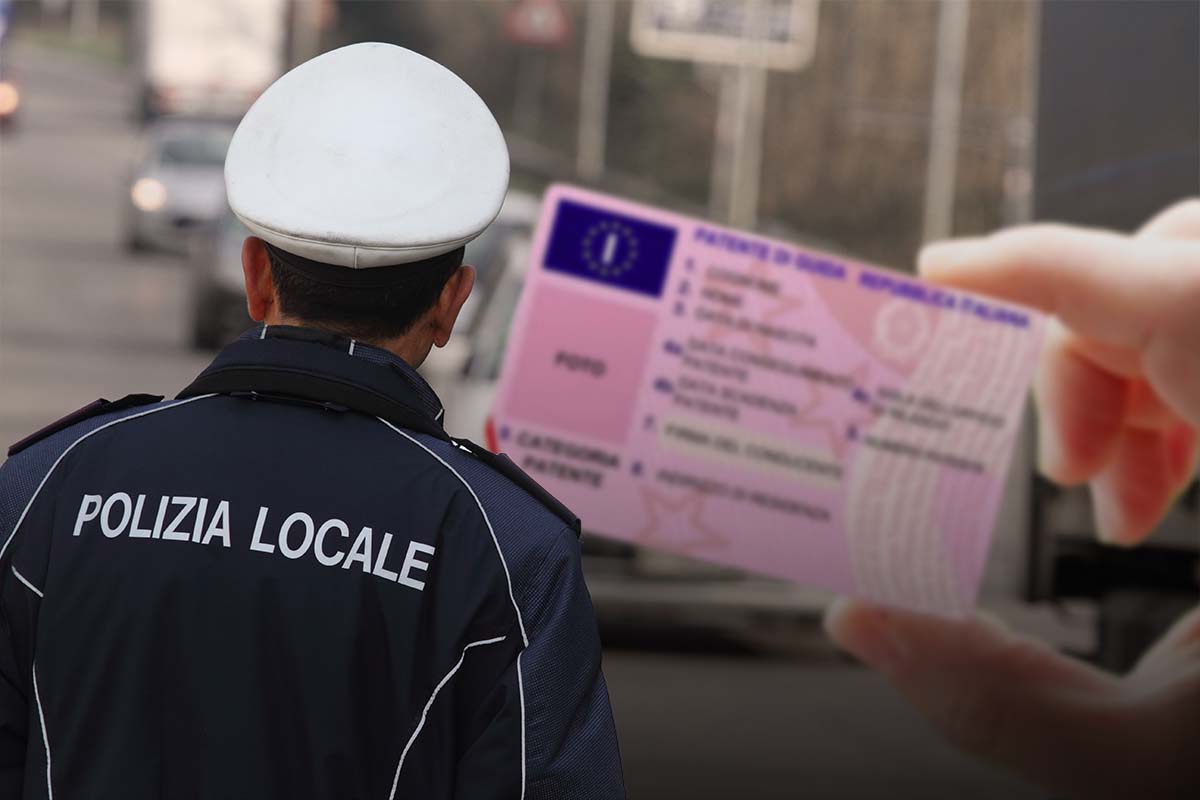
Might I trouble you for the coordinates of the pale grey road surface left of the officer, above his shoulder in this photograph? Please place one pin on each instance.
(80, 318)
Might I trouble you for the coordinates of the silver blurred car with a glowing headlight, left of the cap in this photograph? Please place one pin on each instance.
(177, 185)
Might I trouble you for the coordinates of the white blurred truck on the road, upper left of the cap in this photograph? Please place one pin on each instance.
(212, 58)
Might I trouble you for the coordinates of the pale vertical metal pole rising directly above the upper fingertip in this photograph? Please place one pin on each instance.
(944, 141)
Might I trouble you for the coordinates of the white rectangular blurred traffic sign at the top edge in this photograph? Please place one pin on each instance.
(771, 34)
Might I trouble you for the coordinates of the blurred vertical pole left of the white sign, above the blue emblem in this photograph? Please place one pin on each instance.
(595, 91)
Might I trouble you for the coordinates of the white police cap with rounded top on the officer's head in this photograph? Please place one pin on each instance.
(367, 157)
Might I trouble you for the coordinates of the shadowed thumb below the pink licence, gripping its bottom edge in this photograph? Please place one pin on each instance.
(997, 695)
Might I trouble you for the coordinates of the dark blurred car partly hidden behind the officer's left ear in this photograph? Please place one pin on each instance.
(218, 292)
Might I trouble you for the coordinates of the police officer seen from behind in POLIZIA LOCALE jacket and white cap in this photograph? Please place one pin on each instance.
(291, 581)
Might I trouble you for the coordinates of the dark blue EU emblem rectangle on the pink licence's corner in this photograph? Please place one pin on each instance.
(610, 249)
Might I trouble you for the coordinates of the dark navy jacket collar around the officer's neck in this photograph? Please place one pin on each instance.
(335, 357)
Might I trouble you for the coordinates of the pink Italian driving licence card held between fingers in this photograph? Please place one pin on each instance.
(745, 401)
